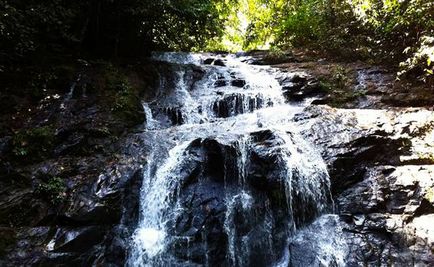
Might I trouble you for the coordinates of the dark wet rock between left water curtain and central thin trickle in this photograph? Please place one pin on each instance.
(202, 197)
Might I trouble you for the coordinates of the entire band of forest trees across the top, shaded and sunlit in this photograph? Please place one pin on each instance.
(398, 31)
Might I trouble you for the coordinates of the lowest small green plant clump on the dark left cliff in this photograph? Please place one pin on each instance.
(53, 190)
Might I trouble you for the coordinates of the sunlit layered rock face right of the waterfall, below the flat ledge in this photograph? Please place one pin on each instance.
(382, 175)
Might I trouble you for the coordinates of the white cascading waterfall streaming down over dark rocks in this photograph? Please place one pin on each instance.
(228, 180)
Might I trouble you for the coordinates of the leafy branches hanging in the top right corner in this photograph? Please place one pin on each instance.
(401, 31)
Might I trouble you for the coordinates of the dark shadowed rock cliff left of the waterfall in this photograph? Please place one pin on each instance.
(71, 176)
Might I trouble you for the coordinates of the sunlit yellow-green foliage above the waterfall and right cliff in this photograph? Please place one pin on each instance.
(368, 29)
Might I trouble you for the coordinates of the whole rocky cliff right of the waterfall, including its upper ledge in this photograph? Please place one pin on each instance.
(380, 163)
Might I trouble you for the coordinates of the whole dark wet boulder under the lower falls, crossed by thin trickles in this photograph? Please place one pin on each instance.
(210, 177)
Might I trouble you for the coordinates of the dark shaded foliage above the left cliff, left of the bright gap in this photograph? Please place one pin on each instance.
(106, 28)
